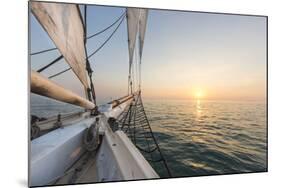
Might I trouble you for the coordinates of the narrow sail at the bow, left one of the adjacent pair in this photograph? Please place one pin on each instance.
(132, 26)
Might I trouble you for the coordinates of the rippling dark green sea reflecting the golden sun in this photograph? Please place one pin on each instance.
(199, 137)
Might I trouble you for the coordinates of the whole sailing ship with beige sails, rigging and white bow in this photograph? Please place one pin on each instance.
(109, 142)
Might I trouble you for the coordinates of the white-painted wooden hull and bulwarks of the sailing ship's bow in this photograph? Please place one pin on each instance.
(117, 158)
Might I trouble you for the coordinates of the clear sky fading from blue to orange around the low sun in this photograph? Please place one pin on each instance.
(186, 55)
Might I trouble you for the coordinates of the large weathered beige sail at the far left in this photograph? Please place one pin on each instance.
(64, 25)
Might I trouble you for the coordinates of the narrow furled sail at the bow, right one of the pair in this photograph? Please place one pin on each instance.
(142, 28)
